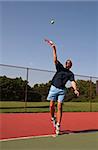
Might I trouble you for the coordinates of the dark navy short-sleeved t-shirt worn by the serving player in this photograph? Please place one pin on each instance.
(61, 76)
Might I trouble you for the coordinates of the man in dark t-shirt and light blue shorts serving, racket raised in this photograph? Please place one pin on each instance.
(57, 89)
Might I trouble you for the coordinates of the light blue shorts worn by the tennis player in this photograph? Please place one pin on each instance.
(56, 94)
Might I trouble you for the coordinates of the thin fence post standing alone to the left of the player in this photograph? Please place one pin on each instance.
(26, 89)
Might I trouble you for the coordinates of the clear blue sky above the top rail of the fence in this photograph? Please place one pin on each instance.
(24, 25)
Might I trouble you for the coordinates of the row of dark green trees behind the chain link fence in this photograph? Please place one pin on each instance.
(16, 89)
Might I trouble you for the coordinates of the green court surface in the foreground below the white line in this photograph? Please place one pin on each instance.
(75, 141)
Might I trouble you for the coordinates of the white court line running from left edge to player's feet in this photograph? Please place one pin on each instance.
(29, 137)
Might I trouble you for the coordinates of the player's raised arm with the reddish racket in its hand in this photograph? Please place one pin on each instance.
(54, 50)
